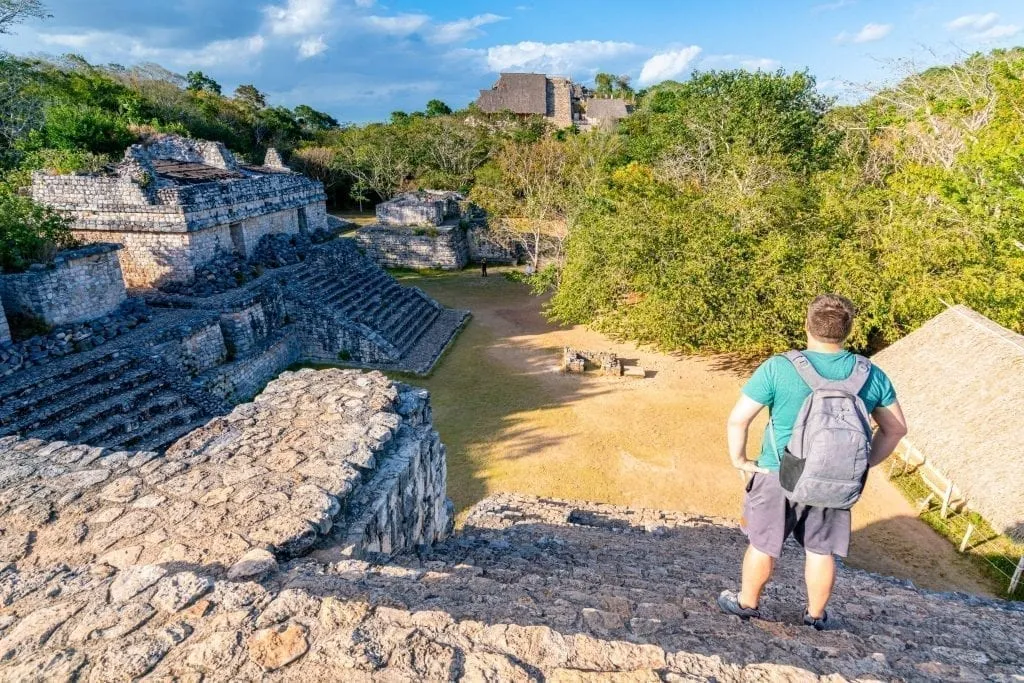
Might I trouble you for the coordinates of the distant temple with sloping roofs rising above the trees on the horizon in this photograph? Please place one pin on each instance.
(557, 99)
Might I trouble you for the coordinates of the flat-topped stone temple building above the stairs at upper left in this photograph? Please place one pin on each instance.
(175, 203)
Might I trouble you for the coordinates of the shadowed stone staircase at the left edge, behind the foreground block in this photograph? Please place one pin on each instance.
(107, 398)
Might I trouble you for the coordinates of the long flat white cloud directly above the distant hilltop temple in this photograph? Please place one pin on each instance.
(564, 59)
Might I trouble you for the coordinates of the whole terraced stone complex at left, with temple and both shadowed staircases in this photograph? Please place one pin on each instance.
(140, 372)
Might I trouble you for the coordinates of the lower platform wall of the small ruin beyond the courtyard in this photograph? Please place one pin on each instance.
(446, 247)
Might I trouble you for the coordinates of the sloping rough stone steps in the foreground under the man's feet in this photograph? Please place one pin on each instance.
(531, 590)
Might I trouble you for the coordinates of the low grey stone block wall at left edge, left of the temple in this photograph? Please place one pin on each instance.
(80, 285)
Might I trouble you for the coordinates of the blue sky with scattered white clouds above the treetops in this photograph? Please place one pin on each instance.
(361, 60)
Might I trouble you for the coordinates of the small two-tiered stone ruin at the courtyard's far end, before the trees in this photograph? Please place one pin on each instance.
(432, 230)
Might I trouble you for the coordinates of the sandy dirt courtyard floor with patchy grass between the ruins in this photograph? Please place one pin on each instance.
(513, 423)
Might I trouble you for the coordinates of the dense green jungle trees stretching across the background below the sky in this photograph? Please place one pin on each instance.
(703, 224)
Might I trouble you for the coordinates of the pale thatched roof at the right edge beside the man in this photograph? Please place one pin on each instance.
(961, 381)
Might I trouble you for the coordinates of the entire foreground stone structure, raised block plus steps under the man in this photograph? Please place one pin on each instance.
(307, 537)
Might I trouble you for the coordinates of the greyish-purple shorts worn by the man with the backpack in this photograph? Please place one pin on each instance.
(770, 519)
